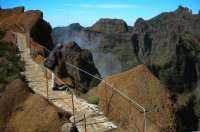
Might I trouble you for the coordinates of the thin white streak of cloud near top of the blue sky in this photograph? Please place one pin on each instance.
(108, 6)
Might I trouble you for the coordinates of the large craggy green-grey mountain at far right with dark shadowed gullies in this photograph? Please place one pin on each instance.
(169, 45)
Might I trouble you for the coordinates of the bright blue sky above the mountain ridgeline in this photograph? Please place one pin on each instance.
(87, 12)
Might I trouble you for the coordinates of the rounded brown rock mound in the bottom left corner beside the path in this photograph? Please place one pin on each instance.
(22, 110)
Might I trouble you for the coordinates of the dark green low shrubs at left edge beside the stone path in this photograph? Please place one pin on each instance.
(10, 63)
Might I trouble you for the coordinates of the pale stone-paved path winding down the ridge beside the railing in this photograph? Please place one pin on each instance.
(35, 77)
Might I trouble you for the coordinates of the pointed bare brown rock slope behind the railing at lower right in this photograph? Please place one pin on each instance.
(141, 86)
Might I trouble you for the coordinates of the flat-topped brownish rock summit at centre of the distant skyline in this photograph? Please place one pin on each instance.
(113, 26)
